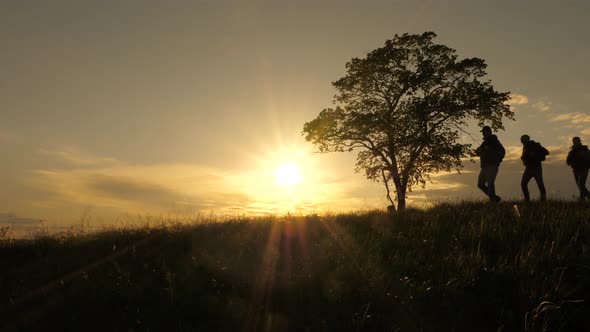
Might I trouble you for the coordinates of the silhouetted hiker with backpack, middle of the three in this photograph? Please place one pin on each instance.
(533, 153)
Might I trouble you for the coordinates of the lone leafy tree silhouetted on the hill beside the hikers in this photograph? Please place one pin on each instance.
(404, 107)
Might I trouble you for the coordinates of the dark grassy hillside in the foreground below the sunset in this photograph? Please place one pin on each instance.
(455, 267)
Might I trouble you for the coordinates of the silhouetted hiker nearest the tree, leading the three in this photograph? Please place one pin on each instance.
(491, 153)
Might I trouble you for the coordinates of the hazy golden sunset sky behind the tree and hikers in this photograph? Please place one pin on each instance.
(120, 108)
